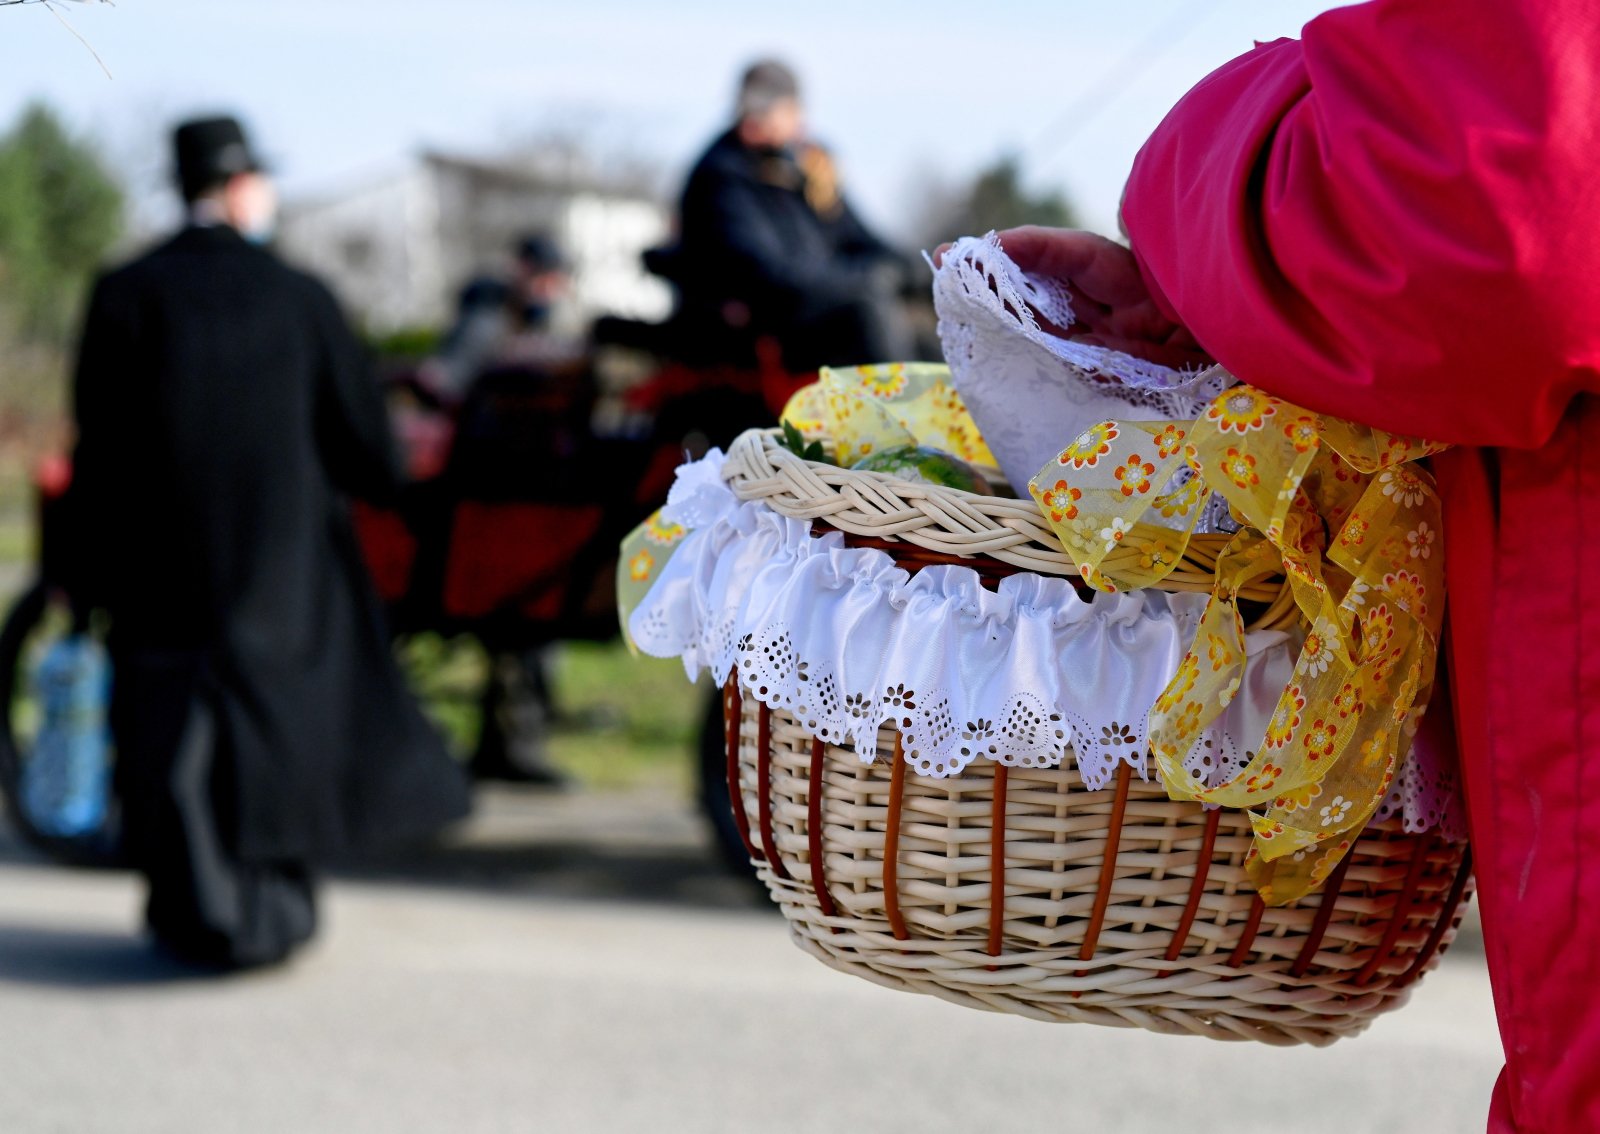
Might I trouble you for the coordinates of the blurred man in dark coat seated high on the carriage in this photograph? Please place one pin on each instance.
(767, 239)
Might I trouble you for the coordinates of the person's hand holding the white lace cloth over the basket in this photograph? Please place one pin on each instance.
(1110, 301)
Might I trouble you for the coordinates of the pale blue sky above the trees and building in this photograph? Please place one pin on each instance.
(903, 90)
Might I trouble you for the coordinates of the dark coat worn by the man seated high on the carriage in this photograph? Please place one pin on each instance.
(748, 233)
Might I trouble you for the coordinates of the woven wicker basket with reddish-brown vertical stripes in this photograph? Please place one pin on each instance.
(1119, 906)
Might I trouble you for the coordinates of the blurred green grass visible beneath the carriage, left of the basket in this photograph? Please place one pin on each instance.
(626, 724)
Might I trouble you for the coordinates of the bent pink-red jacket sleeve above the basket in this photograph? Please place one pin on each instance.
(1396, 220)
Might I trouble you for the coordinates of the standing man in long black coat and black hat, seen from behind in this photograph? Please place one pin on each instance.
(225, 413)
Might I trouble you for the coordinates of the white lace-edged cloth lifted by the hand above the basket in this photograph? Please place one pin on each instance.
(1030, 391)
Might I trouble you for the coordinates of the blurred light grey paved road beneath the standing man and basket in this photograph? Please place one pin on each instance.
(481, 988)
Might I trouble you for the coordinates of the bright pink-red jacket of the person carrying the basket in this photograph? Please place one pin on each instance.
(1398, 220)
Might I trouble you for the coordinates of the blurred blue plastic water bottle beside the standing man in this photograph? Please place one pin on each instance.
(66, 781)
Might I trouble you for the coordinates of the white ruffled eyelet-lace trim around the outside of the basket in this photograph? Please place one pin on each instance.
(847, 642)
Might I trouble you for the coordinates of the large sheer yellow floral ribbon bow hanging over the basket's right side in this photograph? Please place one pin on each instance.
(1343, 514)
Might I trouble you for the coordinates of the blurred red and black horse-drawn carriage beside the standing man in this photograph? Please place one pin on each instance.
(505, 535)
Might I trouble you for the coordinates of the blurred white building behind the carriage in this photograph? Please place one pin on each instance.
(399, 249)
